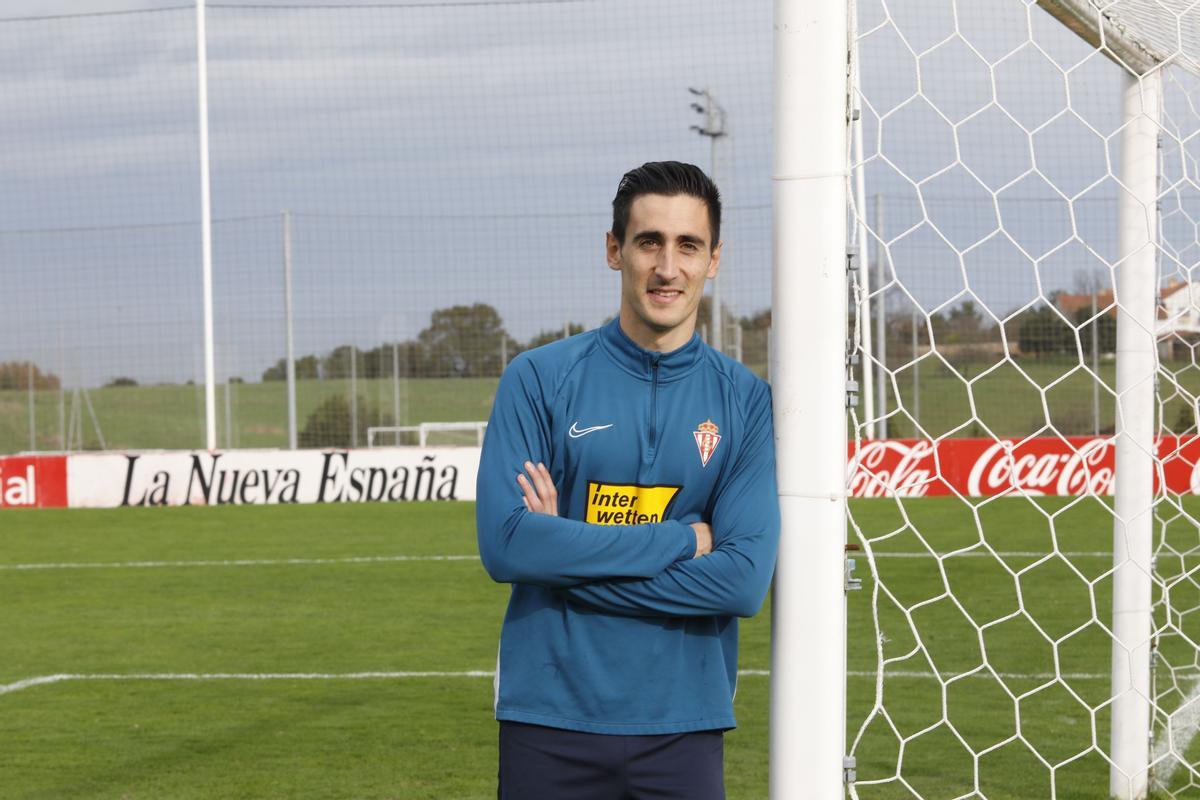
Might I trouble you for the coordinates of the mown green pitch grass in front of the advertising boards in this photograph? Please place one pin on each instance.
(435, 737)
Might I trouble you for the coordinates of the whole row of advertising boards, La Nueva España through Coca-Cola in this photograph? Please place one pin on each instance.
(908, 468)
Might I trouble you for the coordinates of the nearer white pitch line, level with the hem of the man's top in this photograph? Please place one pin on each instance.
(41, 681)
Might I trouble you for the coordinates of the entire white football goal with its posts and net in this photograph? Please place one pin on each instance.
(1017, 146)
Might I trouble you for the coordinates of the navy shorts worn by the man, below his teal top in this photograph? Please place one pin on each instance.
(541, 763)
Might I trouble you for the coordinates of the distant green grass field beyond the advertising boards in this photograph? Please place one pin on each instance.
(172, 417)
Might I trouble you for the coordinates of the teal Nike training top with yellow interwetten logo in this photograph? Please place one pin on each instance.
(613, 627)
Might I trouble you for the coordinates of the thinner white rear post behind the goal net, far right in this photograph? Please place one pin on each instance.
(1135, 502)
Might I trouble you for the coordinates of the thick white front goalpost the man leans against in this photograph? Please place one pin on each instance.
(808, 368)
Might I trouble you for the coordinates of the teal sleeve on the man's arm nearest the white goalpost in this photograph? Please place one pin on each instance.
(735, 578)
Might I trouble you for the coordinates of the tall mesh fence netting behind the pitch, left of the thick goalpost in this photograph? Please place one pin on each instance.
(447, 170)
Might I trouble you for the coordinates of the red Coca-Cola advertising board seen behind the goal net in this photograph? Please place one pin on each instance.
(1048, 466)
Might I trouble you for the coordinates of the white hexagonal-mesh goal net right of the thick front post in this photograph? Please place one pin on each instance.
(1025, 311)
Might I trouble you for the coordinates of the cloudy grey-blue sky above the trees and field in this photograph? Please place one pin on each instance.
(469, 153)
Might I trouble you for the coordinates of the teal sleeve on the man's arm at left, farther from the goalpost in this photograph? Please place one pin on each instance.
(521, 548)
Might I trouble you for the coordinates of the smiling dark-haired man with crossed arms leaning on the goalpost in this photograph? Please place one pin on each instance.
(627, 491)
